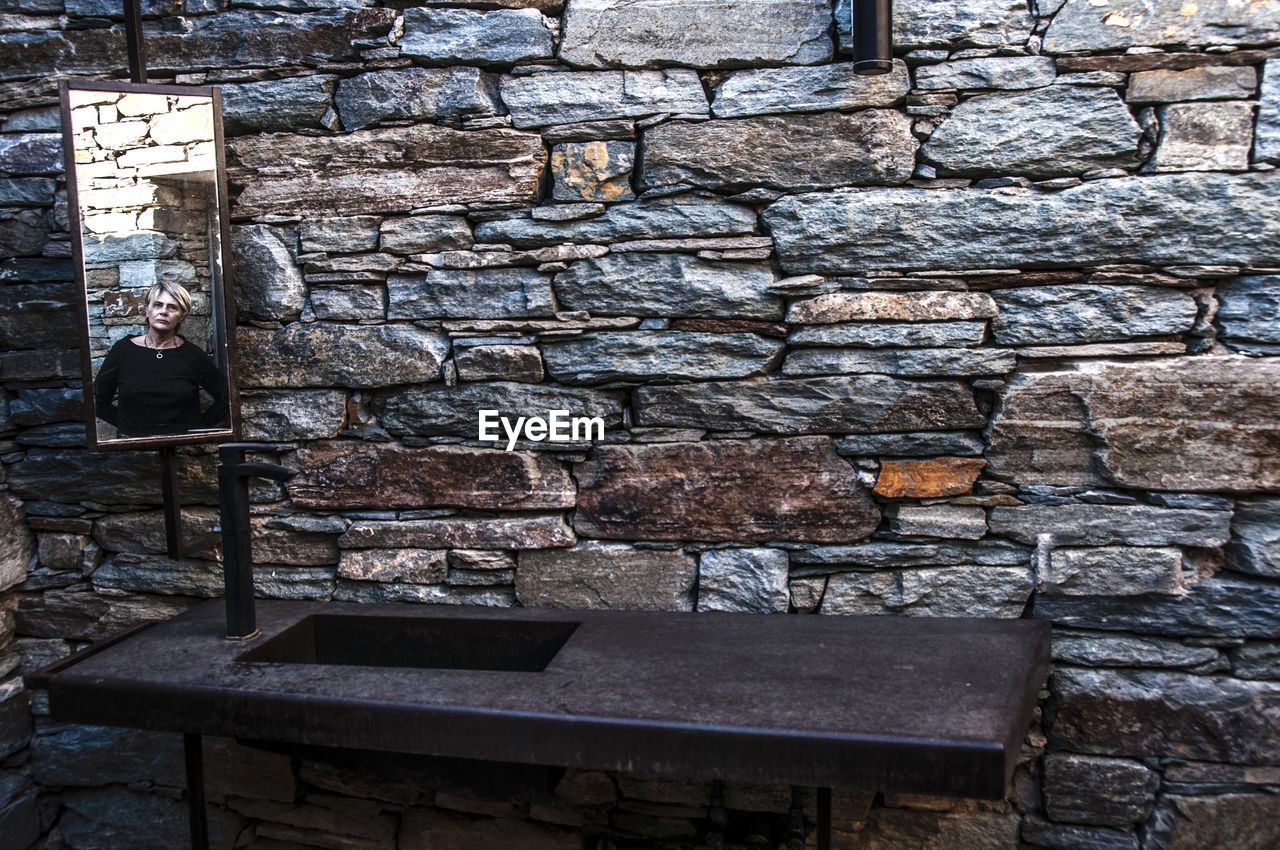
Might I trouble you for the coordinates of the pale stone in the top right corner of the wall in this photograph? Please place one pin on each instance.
(1085, 28)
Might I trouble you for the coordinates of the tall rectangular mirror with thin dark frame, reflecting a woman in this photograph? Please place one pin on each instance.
(149, 217)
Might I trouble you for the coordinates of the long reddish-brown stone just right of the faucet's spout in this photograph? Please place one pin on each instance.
(337, 477)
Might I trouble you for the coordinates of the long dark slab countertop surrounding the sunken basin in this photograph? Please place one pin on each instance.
(925, 706)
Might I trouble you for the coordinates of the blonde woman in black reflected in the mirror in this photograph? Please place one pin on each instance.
(150, 385)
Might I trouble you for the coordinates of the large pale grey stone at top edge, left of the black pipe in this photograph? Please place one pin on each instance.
(732, 34)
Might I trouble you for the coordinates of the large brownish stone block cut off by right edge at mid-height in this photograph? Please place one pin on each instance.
(1206, 424)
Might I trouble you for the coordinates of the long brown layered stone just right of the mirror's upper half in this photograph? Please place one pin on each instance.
(383, 171)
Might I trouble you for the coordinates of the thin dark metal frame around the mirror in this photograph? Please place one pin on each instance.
(223, 291)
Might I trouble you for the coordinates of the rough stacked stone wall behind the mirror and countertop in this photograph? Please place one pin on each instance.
(991, 336)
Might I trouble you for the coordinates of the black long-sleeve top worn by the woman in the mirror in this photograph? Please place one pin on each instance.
(148, 396)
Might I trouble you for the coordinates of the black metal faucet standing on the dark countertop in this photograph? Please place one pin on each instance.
(234, 476)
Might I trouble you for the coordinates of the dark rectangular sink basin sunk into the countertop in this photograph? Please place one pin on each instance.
(515, 646)
